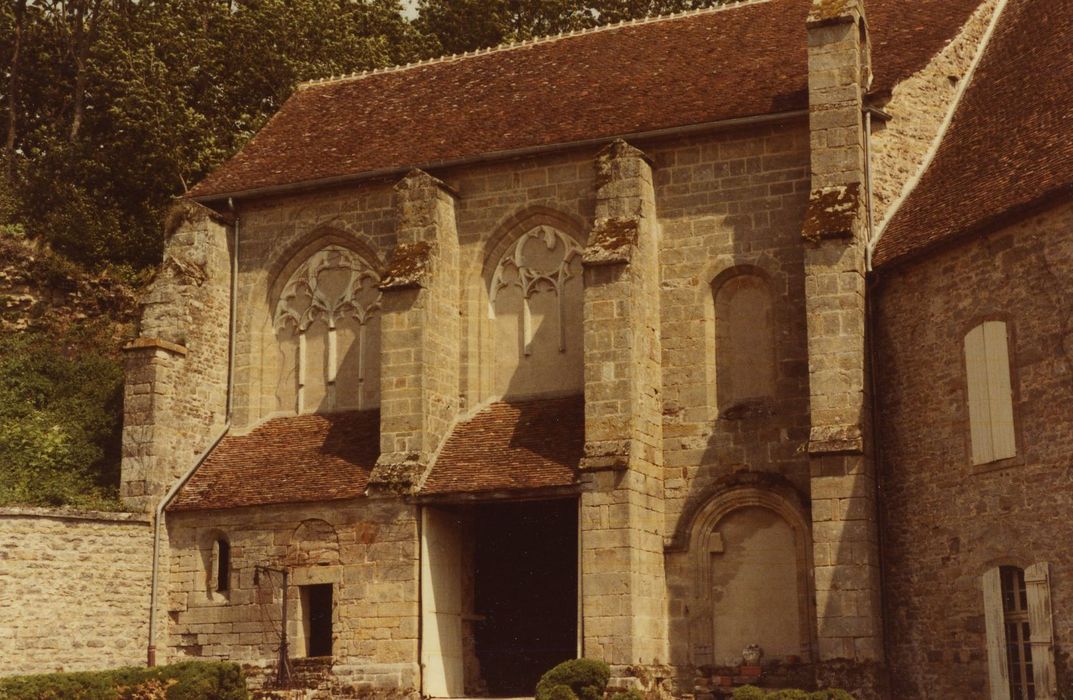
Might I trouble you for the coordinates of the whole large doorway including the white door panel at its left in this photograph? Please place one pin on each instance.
(499, 596)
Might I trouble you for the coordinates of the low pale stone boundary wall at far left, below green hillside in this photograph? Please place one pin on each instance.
(75, 590)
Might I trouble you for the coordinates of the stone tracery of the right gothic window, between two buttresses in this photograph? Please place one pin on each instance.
(533, 269)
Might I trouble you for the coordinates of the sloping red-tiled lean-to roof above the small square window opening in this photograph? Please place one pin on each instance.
(288, 460)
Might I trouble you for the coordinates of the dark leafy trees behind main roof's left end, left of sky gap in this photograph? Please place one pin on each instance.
(116, 107)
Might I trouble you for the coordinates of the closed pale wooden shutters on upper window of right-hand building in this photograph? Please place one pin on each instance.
(991, 396)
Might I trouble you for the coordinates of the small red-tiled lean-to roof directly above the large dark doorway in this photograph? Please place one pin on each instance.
(527, 445)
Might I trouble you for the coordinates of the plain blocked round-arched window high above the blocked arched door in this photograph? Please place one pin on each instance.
(742, 339)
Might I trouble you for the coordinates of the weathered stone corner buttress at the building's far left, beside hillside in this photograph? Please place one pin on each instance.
(175, 399)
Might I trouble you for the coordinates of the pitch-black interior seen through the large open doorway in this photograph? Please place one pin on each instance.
(525, 591)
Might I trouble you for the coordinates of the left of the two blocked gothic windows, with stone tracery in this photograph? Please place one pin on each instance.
(327, 319)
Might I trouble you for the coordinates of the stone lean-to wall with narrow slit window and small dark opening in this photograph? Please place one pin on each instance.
(369, 550)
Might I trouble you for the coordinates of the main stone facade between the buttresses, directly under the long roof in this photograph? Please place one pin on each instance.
(726, 201)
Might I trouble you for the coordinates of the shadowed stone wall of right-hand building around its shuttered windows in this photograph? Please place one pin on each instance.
(947, 522)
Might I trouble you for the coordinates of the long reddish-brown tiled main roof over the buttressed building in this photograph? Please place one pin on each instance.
(698, 68)
